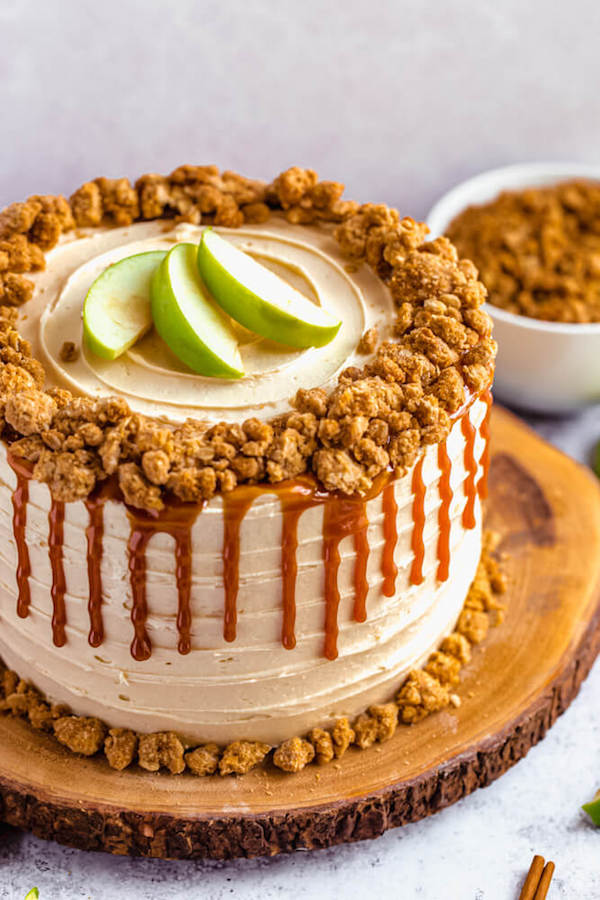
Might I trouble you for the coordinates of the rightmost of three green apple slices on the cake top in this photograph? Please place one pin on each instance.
(258, 299)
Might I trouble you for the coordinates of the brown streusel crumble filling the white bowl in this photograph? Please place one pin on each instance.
(538, 250)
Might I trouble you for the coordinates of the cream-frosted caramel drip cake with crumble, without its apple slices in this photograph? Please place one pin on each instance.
(192, 562)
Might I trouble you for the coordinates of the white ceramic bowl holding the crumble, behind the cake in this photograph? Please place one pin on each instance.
(549, 367)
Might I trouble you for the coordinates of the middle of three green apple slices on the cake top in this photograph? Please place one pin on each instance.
(190, 322)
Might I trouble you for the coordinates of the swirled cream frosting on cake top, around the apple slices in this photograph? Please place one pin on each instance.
(150, 377)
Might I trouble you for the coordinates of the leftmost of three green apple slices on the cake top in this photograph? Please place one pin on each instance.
(116, 310)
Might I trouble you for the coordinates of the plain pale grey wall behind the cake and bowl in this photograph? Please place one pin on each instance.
(397, 99)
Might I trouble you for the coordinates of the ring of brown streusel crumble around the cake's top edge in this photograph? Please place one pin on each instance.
(378, 417)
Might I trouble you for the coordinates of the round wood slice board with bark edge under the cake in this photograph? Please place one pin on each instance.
(526, 673)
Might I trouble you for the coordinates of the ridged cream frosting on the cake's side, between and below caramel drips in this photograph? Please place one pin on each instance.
(251, 687)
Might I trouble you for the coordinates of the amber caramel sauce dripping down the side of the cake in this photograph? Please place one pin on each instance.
(343, 517)
